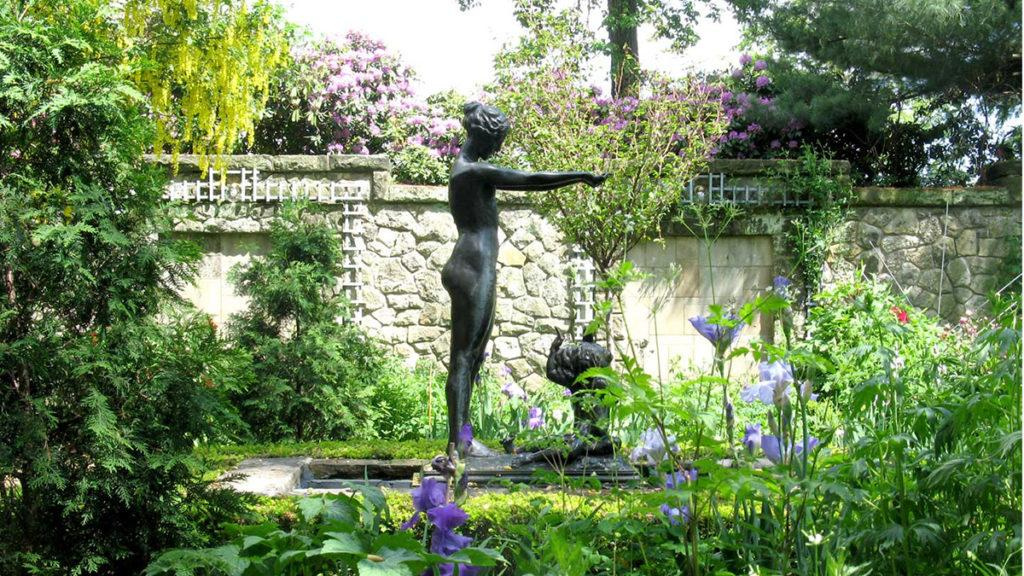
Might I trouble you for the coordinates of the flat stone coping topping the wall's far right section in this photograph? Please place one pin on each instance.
(962, 197)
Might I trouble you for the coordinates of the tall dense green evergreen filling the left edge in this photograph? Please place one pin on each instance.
(102, 403)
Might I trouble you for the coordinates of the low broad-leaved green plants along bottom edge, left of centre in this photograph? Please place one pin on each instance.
(336, 534)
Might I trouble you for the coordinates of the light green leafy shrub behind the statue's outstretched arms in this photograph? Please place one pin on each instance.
(651, 147)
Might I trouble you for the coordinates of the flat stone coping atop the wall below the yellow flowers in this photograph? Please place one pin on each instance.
(285, 163)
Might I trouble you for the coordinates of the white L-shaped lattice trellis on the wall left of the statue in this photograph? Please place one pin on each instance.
(245, 186)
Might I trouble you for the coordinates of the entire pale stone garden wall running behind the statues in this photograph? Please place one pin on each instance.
(399, 237)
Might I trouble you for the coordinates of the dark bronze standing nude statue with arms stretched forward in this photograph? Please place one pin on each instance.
(471, 274)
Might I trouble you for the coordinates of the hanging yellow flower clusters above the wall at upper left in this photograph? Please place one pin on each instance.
(207, 66)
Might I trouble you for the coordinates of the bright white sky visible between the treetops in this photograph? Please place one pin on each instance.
(428, 34)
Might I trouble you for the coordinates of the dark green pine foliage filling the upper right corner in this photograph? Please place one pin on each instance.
(921, 93)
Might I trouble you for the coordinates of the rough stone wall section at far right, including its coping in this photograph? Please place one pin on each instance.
(946, 250)
